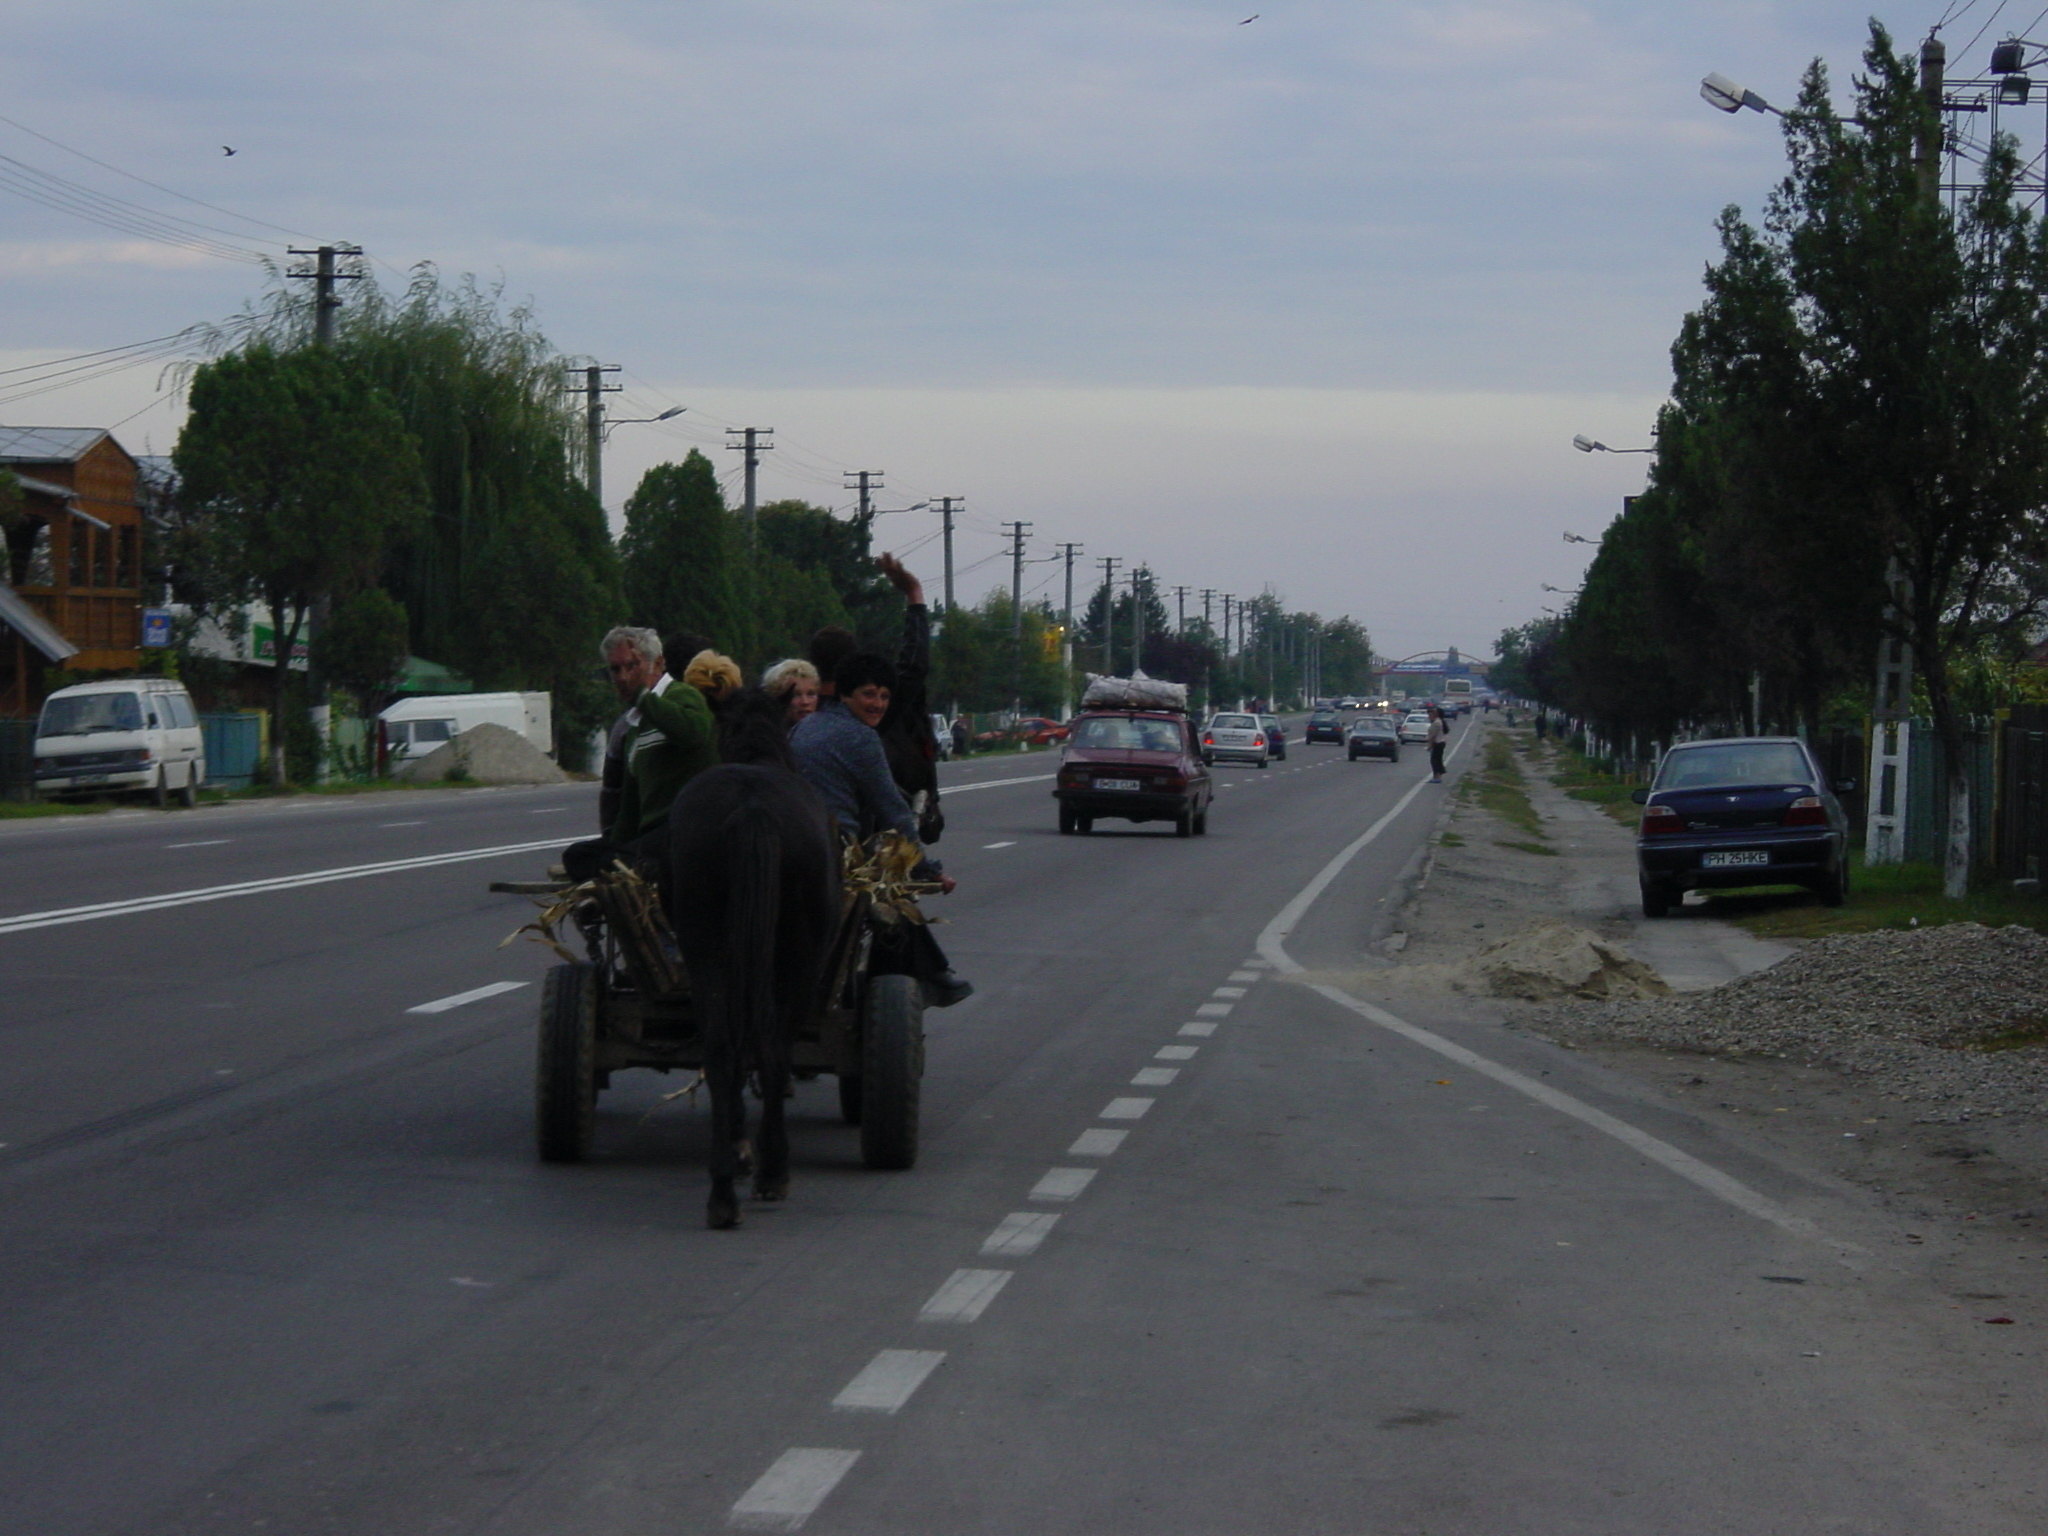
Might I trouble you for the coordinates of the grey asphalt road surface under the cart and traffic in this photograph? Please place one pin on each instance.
(1191, 1246)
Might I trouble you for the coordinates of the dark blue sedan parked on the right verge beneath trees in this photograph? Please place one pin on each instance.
(1742, 812)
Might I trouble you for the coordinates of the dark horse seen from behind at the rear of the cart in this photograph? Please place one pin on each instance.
(755, 900)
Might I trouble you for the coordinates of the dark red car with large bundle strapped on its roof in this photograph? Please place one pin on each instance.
(1136, 767)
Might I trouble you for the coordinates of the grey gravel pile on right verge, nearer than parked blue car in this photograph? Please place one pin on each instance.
(1953, 1019)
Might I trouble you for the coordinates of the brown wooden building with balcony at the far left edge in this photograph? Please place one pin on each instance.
(73, 558)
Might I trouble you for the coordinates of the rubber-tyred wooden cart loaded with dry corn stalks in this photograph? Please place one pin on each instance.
(628, 1005)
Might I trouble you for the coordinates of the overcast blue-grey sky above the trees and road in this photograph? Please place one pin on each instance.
(1310, 304)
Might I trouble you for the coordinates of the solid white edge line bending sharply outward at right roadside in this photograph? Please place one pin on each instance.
(1273, 945)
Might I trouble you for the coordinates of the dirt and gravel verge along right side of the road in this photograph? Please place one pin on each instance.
(1945, 1119)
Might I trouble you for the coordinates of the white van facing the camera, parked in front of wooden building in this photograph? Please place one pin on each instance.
(112, 736)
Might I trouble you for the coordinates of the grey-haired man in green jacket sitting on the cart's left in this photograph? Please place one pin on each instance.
(669, 742)
